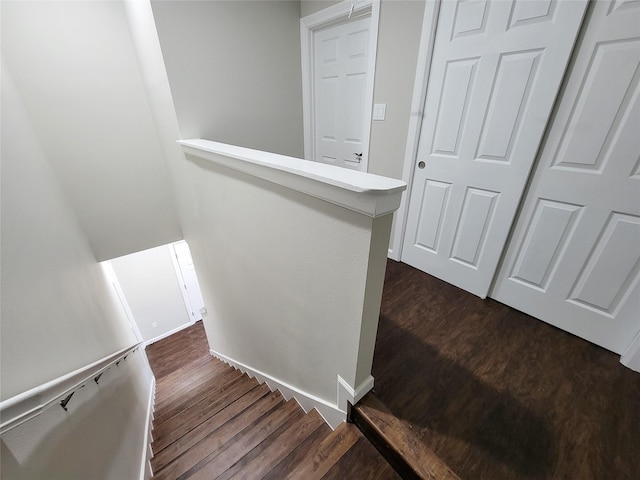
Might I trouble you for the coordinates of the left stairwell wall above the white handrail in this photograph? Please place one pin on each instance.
(58, 311)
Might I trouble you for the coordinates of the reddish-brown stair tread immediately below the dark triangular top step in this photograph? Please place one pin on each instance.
(330, 450)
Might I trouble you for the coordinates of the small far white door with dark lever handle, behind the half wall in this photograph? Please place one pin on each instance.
(341, 66)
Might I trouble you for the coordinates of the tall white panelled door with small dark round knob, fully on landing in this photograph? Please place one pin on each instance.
(495, 73)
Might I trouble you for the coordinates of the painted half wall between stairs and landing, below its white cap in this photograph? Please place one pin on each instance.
(285, 279)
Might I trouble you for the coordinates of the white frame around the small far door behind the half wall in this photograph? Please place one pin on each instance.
(335, 14)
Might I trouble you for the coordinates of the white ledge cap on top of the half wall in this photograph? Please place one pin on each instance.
(366, 193)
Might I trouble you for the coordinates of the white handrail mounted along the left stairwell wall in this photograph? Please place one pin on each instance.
(22, 407)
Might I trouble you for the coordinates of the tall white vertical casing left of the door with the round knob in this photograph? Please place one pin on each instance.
(427, 40)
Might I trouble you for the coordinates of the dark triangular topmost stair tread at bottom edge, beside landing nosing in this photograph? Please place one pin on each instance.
(362, 462)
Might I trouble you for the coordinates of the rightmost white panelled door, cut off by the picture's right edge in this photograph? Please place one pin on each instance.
(574, 257)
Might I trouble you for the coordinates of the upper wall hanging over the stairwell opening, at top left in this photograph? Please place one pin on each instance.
(78, 75)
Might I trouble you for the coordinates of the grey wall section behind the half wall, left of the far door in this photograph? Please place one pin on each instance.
(234, 69)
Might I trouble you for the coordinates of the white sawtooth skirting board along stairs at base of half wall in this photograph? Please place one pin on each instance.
(331, 414)
